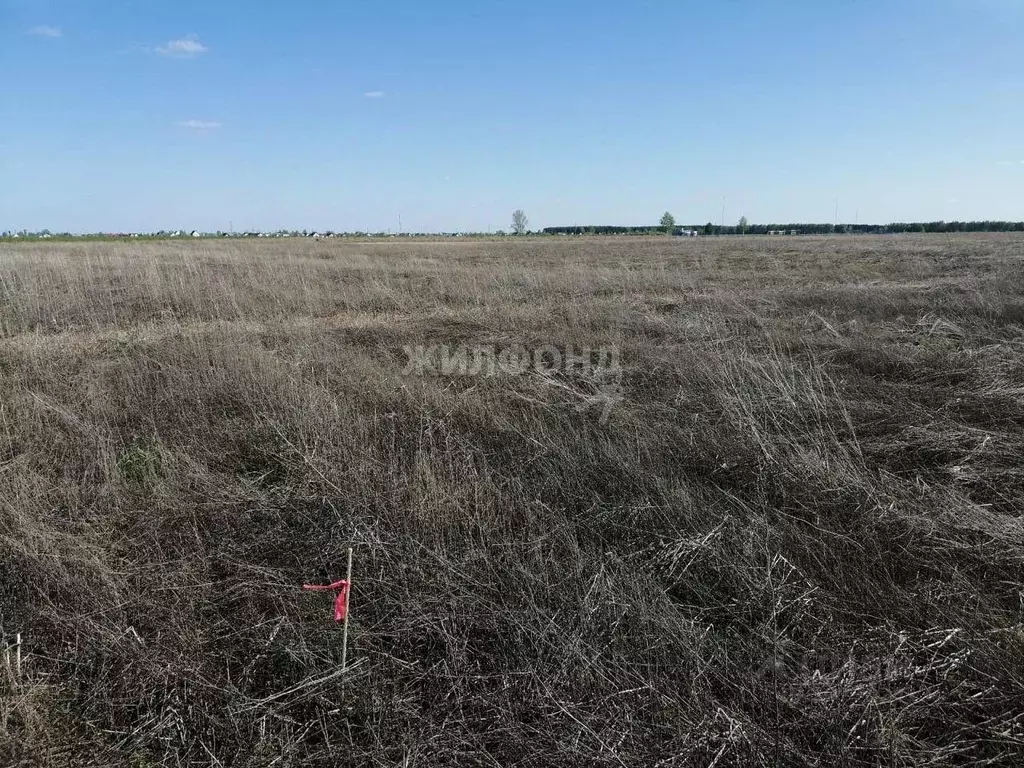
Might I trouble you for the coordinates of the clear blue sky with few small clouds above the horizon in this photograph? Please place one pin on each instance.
(140, 115)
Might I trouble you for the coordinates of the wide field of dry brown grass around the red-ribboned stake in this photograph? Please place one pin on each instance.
(796, 540)
